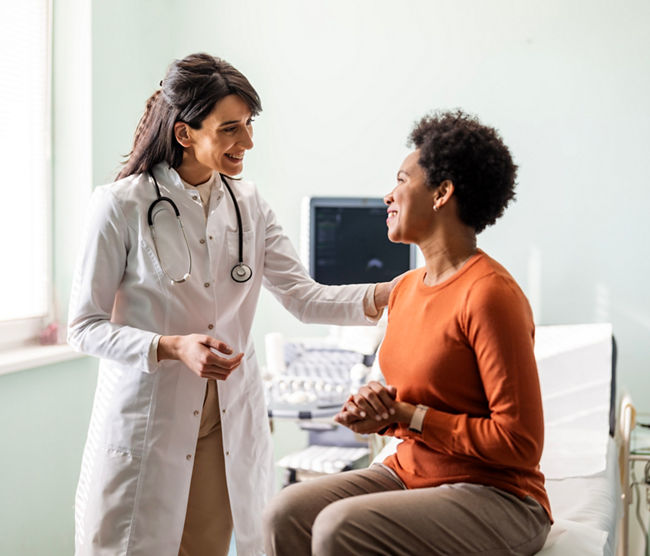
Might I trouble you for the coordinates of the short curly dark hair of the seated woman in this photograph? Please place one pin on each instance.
(455, 146)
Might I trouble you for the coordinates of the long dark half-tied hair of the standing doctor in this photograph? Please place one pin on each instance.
(188, 93)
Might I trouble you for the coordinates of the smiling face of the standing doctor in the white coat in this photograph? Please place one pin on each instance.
(219, 144)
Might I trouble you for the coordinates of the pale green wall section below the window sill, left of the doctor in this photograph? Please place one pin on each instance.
(44, 414)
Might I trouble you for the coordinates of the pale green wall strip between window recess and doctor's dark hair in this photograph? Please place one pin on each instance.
(132, 44)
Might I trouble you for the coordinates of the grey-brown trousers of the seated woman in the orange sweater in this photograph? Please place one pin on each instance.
(369, 511)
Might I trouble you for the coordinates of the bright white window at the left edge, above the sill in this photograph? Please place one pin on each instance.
(25, 225)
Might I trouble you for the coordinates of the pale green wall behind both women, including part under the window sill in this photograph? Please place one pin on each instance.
(341, 82)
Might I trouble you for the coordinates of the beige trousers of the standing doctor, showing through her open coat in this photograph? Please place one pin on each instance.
(208, 521)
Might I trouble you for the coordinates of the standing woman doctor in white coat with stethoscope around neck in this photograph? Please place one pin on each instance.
(174, 256)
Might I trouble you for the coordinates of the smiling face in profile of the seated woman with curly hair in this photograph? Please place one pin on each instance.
(410, 204)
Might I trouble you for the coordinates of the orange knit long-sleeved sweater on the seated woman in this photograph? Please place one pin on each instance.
(464, 348)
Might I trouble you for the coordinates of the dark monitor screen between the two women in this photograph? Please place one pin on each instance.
(348, 242)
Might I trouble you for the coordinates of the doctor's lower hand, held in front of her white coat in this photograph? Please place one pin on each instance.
(197, 351)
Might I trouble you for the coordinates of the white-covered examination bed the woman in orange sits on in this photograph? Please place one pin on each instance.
(580, 460)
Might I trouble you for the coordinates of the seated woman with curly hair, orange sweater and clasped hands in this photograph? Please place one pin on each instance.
(462, 389)
